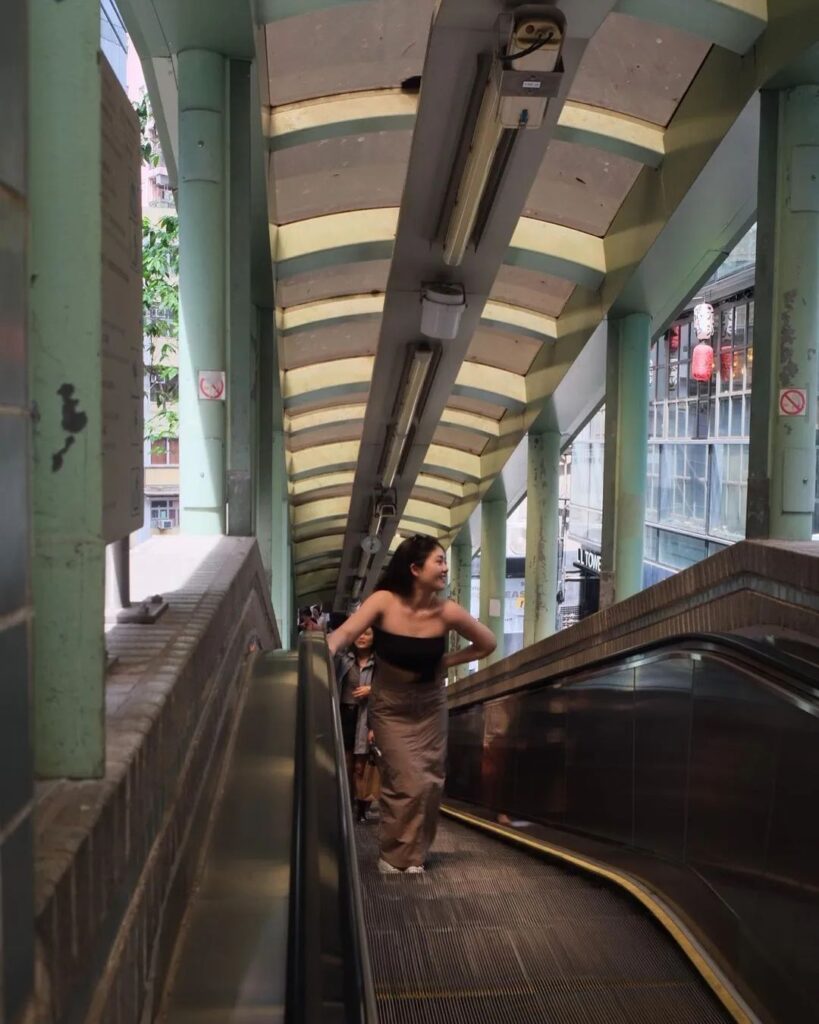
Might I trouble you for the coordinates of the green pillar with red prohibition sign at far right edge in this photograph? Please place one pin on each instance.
(783, 454)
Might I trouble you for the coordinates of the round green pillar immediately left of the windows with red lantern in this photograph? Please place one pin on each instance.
(626, 458)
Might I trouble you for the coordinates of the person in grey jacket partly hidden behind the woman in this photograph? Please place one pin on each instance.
(355, 678)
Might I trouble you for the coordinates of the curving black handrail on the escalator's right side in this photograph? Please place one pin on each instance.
(791, 673)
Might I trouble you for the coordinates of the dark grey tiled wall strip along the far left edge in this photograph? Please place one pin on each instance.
(17, 931)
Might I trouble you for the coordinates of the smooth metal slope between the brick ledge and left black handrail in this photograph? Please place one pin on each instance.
(231, 957)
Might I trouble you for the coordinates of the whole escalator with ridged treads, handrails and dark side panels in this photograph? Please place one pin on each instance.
(632, 842)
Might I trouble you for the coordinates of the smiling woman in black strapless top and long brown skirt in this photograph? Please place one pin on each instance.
(408, 706)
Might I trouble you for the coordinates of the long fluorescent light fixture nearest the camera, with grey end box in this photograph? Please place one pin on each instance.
(525, 74)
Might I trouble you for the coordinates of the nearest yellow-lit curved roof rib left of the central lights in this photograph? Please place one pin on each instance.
(334, 117)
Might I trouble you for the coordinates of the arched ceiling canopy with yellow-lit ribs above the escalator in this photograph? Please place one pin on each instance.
(365, 103)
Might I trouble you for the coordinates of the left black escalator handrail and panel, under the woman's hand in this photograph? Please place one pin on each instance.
(329, 974)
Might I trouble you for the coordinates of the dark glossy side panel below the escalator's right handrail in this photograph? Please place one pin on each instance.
(700, 774)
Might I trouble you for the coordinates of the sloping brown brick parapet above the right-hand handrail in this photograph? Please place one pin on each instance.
(755, 587)
